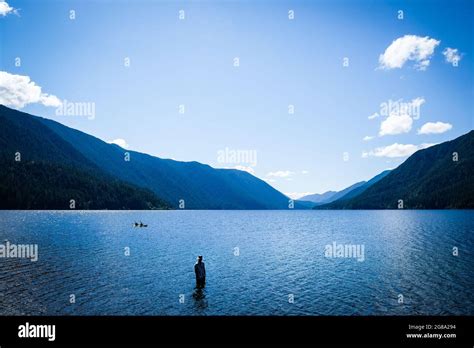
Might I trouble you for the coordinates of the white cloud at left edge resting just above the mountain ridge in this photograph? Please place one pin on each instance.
(18, 91)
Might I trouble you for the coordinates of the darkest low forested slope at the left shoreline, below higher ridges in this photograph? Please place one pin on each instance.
(39, 185)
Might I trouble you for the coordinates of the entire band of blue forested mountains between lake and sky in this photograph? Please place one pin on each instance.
(59, 163)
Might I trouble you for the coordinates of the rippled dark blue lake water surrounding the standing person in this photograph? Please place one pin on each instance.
(280, 253)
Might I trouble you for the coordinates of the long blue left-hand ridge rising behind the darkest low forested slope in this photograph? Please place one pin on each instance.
(198, 185)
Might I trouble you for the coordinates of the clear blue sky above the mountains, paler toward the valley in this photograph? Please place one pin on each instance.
(245, 108)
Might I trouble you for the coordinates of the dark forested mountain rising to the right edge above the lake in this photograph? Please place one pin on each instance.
(433, 178)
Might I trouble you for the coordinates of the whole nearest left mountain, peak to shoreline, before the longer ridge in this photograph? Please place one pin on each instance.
(50, 173)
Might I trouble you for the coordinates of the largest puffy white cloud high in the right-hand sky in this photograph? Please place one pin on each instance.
(409, 47)
